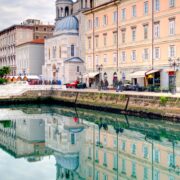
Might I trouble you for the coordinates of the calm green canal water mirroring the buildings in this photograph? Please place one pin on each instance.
(54, 143)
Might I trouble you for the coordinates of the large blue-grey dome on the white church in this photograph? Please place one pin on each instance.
(67, 24)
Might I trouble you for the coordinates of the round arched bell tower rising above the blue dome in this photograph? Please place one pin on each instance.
(63, 8)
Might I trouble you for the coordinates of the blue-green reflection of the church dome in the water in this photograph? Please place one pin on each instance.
(69, 162)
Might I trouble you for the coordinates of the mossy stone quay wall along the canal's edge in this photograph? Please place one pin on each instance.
(164, 107)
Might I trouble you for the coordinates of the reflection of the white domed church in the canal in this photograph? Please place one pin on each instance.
(65, 136)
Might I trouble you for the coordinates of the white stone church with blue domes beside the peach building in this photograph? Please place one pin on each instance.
(65, 51)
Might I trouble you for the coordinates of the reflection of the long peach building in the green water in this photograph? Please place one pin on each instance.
(129, 155)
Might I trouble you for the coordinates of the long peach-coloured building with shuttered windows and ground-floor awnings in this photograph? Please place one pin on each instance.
(119, 36)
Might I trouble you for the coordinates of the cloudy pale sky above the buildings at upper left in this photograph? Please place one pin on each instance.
(16, 11)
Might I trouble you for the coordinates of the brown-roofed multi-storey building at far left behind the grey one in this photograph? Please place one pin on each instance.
(15, 35)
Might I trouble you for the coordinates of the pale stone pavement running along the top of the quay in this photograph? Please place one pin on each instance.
(18, 89)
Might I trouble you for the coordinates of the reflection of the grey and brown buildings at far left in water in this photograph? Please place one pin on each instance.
(23, 136)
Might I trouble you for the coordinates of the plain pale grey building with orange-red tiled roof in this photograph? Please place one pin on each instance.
(30, 57)
